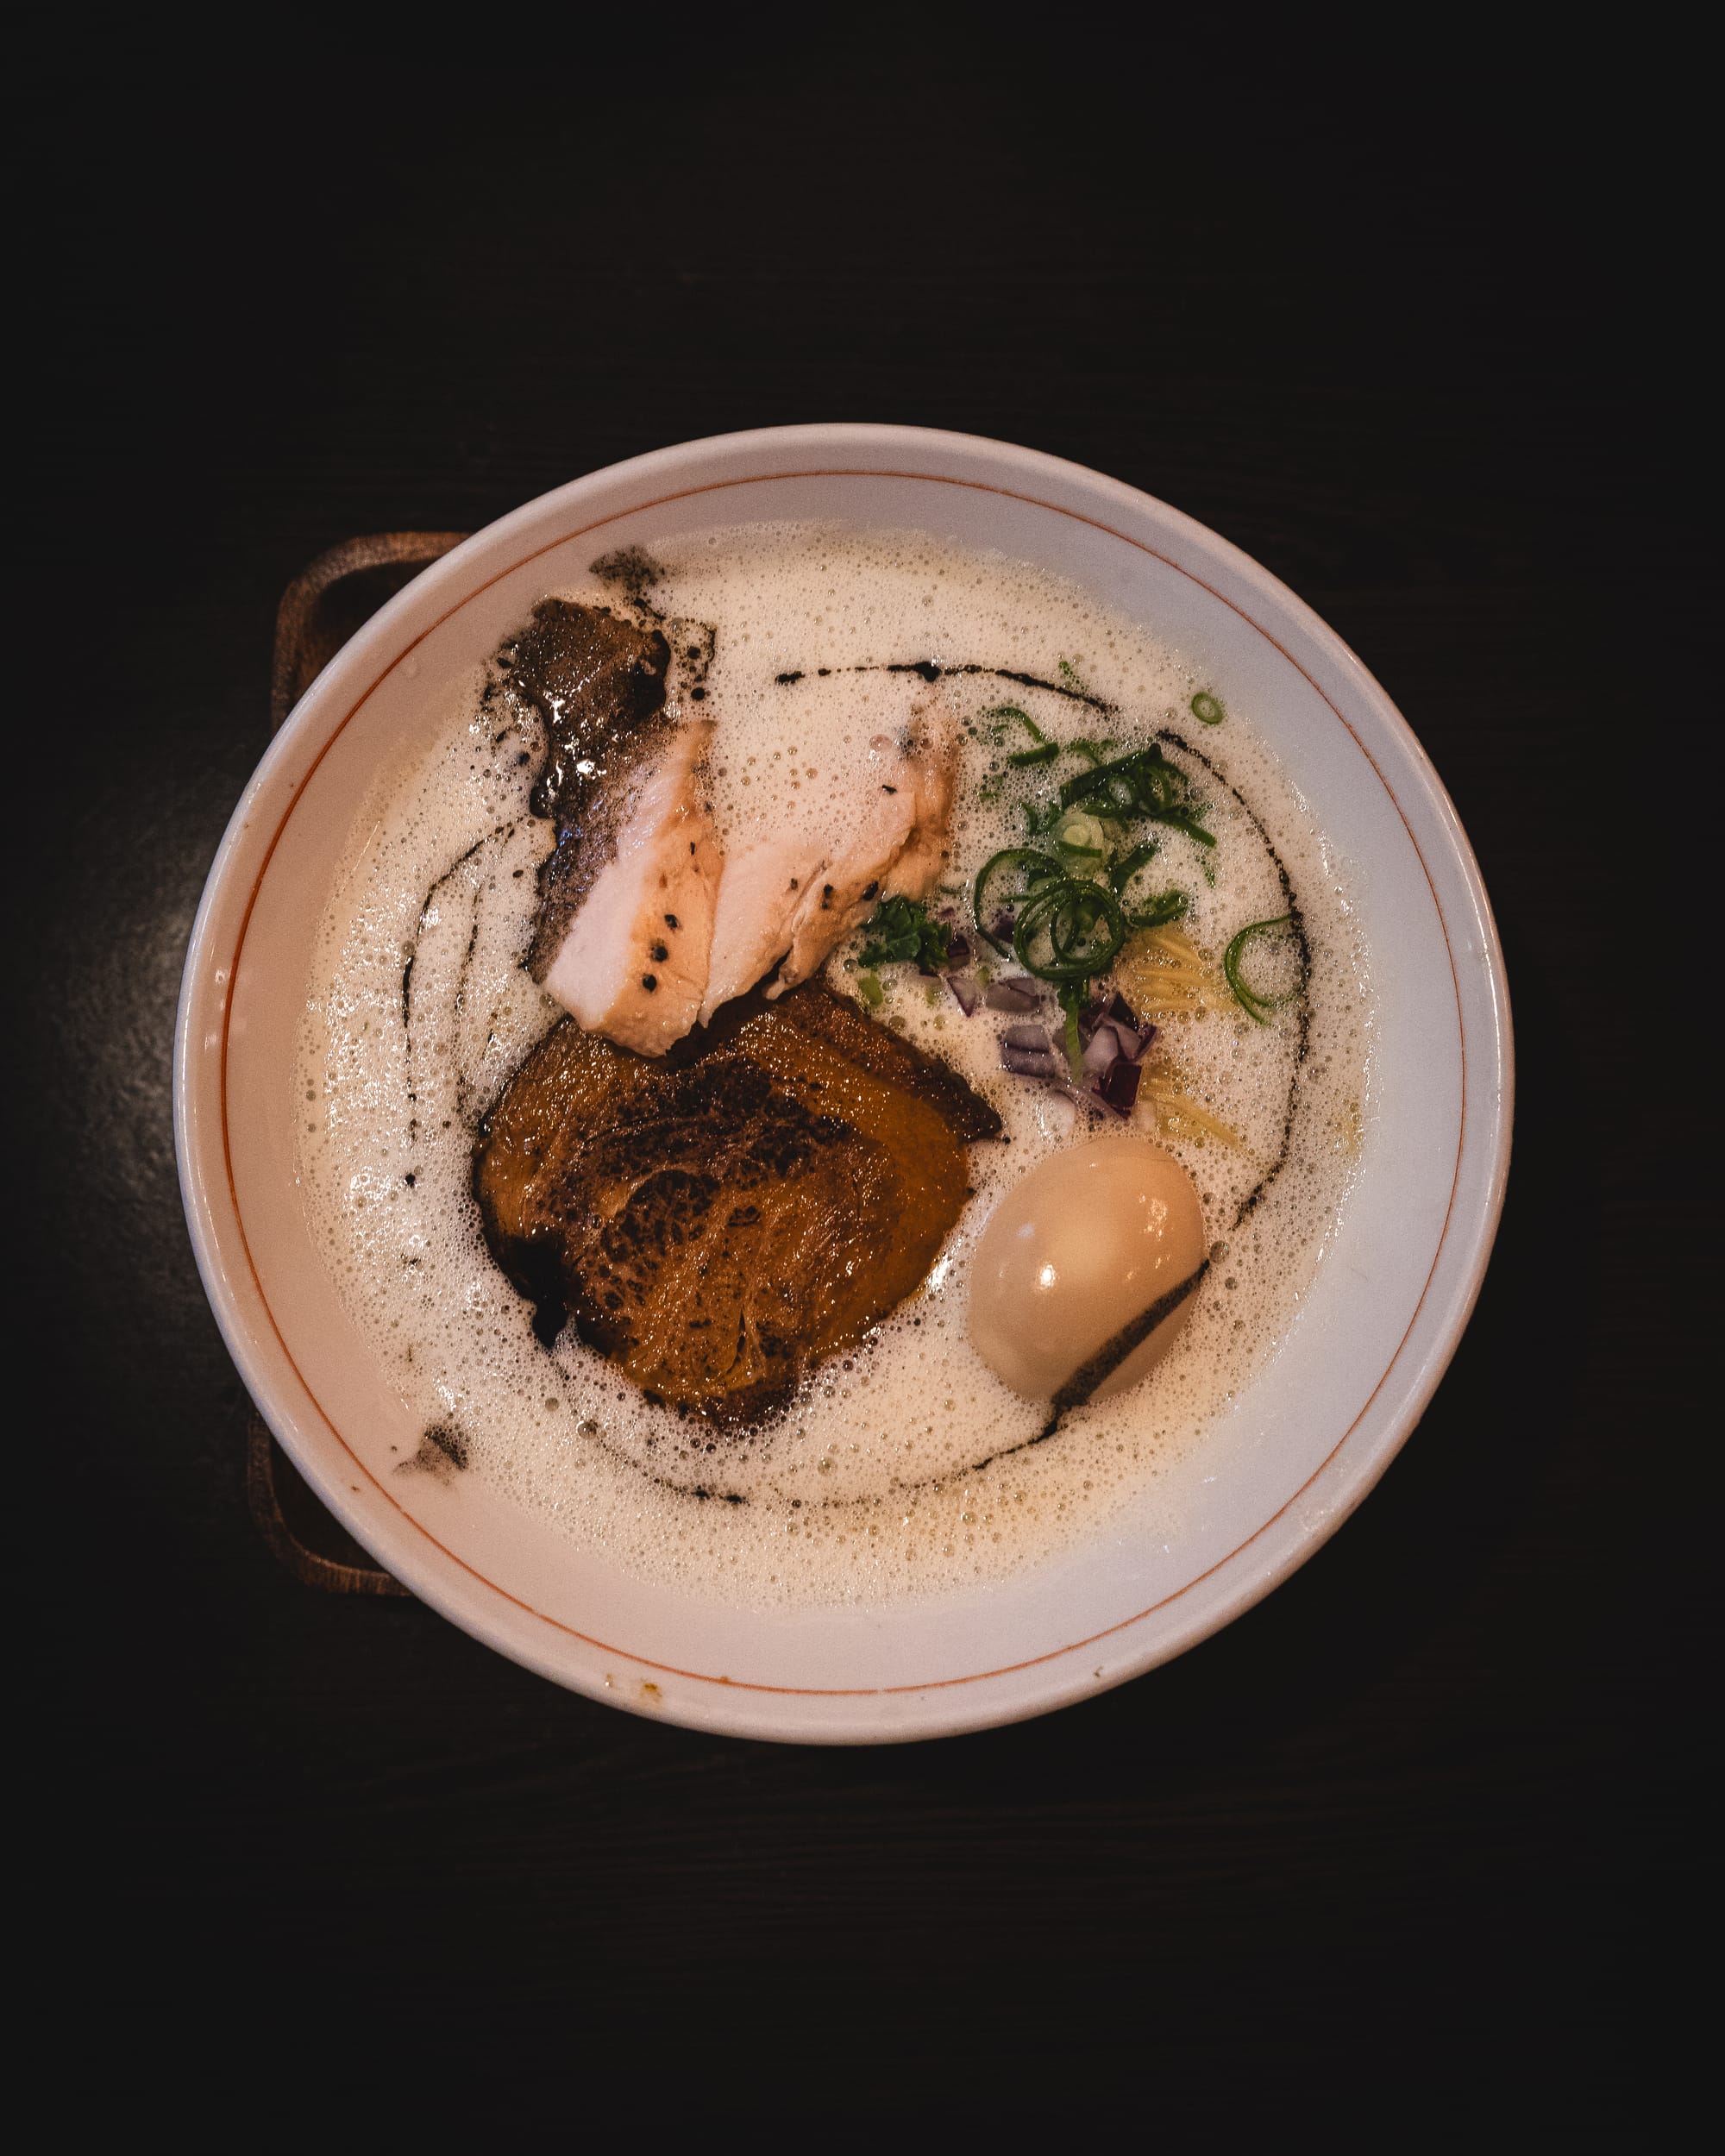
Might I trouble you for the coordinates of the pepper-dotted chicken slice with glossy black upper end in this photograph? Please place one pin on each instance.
(626, 900)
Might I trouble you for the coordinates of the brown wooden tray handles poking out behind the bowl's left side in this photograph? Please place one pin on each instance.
(320, 611)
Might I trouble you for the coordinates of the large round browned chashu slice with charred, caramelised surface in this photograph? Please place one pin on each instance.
(719, 1221)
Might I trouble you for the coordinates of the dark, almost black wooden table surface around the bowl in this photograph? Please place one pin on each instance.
(1418, 1816)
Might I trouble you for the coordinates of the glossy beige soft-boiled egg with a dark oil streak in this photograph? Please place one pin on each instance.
(1077, 1264)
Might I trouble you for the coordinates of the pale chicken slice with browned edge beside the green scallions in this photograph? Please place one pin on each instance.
(894, 848)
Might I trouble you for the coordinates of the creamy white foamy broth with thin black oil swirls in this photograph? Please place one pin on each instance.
(905, 1467)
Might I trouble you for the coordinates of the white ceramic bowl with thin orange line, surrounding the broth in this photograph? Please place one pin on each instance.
(1299, 1450)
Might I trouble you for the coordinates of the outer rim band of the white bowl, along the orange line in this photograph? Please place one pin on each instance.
(1258, 1564)
